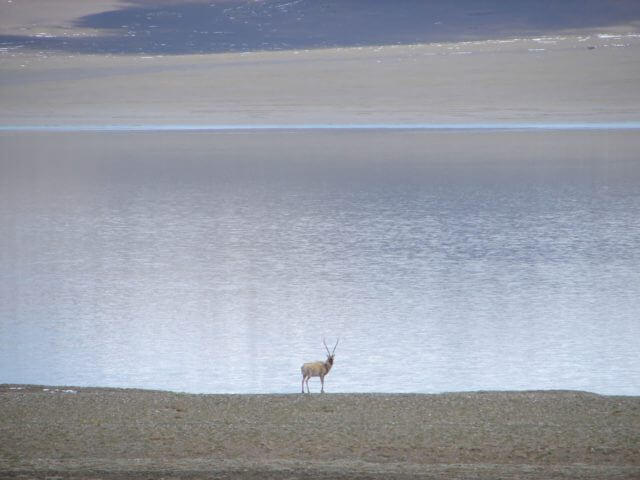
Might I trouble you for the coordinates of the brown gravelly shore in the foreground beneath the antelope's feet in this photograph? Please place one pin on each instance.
(69, 432)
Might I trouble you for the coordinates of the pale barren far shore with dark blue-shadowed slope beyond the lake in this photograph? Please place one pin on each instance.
(294, 62)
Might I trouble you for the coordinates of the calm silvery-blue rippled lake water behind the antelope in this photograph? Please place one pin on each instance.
(218, 262)
